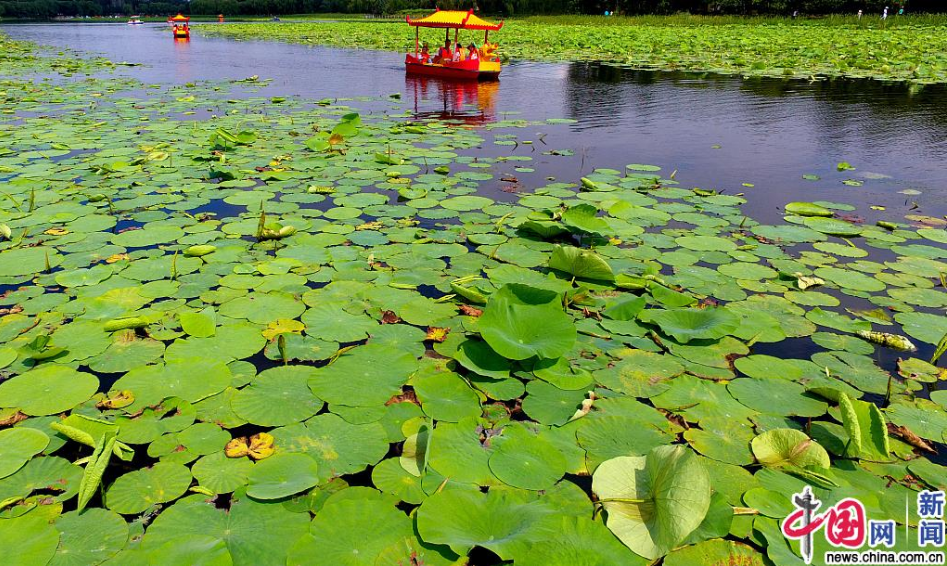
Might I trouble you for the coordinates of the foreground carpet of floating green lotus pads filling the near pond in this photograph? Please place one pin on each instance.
(248, 329)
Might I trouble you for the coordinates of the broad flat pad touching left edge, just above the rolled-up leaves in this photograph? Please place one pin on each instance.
(48, 389)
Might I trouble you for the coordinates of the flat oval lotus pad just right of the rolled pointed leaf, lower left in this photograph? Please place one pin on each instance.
(136, 491)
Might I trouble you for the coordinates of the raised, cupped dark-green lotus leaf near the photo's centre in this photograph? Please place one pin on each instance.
(521, 322)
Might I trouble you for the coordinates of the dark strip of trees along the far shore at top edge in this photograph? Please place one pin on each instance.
(44, 9)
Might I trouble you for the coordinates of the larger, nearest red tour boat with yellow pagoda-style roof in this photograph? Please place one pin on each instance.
(486, 66)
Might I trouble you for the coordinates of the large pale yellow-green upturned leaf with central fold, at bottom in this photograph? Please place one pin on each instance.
(653, 502)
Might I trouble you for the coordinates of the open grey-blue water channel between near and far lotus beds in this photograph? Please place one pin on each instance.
(717, 132)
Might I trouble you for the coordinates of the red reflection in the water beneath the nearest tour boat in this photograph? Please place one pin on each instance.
(470, 102)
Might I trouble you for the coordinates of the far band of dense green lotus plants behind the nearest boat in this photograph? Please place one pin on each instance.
(912, 49)
